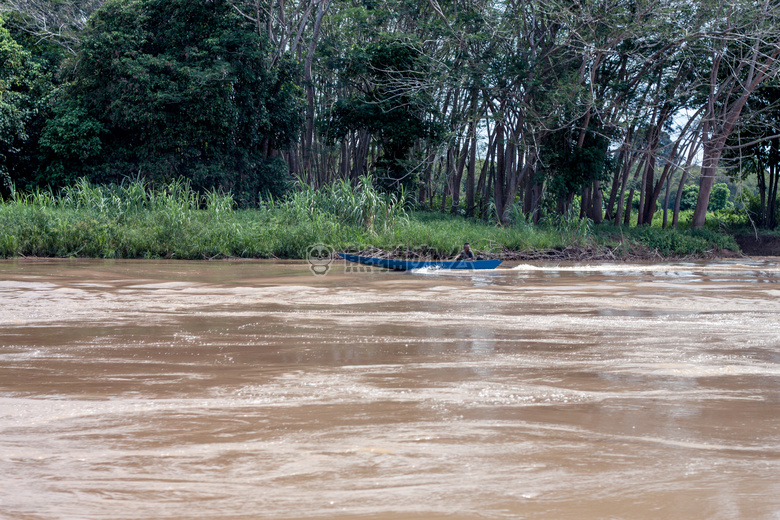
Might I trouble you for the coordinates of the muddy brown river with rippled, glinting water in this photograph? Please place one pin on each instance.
(251, 390)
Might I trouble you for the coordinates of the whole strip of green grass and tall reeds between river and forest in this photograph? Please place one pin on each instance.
(136, 220)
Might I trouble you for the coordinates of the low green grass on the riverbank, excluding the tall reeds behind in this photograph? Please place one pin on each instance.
(52, 232)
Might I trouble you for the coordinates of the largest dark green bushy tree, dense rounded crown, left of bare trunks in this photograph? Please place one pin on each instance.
(174, 88)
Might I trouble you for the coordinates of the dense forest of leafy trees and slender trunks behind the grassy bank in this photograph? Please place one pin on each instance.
(477, 107)
